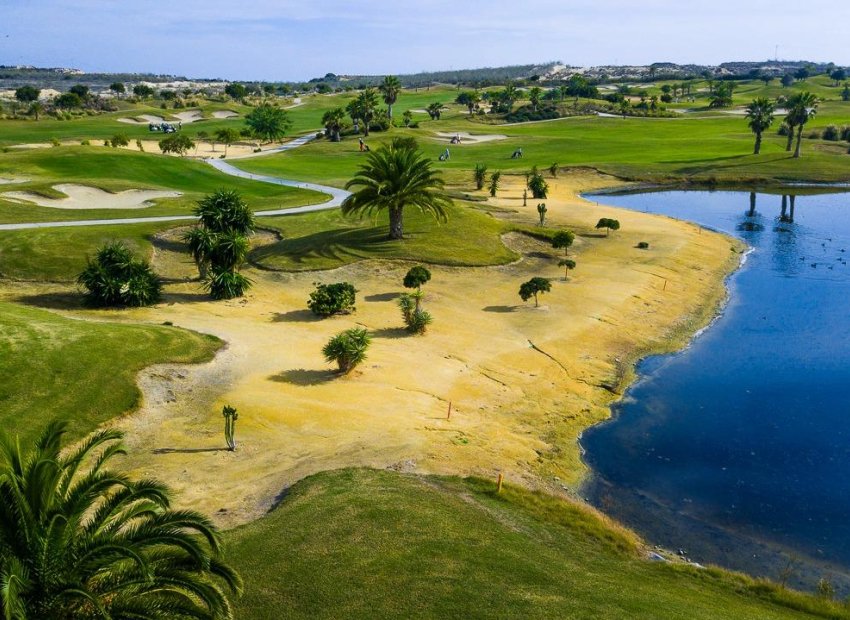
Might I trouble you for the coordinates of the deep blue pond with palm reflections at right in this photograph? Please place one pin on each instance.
(737, 450)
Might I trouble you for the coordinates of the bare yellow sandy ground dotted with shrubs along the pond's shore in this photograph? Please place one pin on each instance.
(523, 382)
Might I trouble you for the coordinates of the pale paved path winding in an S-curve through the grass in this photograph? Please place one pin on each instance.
(336, 195)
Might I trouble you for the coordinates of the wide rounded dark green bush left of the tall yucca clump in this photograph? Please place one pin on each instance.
(115, 277)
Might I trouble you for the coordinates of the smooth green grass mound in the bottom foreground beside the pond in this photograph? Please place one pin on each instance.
(375, 544)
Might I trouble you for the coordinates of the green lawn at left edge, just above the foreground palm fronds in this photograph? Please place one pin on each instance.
(83, 372)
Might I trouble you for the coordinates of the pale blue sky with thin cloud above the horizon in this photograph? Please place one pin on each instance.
(294, 40)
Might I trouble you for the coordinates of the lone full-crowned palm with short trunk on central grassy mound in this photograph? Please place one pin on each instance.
(396, 176)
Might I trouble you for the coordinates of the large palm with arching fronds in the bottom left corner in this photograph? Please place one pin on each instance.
(80, 541)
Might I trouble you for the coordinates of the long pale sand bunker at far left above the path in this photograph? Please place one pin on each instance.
(84, 197)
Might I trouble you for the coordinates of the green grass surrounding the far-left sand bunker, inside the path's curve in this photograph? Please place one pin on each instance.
(115, 170)
